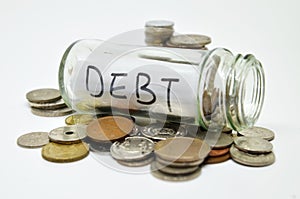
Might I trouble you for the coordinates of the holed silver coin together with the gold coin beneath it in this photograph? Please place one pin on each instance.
(66, 144)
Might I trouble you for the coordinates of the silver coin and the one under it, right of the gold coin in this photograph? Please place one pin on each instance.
(134, 151)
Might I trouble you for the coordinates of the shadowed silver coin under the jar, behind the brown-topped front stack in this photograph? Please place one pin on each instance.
(160, 131)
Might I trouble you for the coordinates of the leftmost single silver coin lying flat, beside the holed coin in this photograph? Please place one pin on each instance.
(33, 140)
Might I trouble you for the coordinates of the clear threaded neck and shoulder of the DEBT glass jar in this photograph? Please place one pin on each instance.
(235, 85)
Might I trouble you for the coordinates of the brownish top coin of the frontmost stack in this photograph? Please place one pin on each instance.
(181, 149)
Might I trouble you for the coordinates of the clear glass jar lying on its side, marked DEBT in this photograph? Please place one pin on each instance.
(199, 87)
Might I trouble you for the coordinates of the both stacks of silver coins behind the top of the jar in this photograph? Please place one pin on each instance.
(160, 33)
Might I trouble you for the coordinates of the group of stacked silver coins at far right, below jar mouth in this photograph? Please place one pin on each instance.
(253, 148)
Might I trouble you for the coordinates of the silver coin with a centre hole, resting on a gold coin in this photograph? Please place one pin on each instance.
(68, 134)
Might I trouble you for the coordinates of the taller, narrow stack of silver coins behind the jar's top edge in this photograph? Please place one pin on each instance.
(157, 32)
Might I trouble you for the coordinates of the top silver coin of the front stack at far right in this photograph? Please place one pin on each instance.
(253, 144)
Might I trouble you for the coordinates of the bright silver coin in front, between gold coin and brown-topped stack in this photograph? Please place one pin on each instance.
(133, 148)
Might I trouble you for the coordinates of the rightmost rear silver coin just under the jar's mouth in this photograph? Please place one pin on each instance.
(261, 132)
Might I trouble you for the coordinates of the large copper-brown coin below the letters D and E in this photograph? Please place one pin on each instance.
(109, 128)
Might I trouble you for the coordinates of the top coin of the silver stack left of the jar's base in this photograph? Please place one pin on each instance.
(43, 95)
